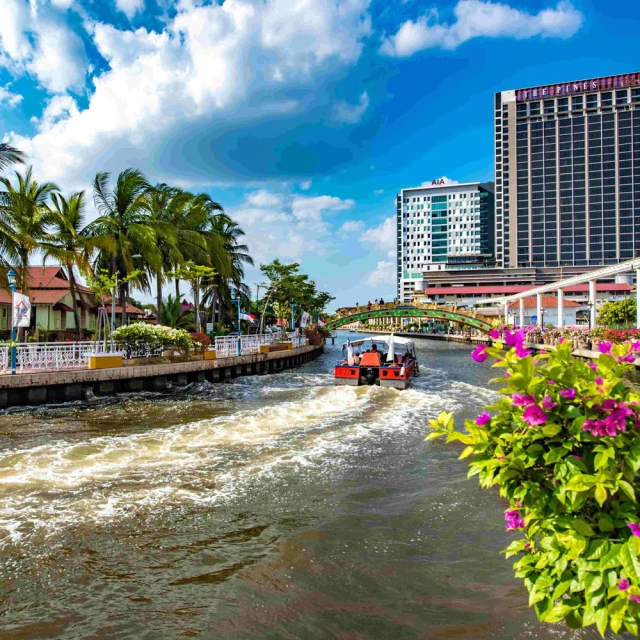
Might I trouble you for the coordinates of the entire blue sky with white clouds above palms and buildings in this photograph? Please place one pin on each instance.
(302, 117)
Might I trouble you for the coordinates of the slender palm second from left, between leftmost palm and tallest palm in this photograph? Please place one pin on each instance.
(69, 245)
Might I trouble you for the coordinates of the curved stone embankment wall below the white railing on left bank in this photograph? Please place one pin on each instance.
(69, 385)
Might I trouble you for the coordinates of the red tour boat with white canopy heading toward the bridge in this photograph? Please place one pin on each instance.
(383, 360)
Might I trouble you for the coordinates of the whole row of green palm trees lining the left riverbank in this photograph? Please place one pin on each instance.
(157, 232)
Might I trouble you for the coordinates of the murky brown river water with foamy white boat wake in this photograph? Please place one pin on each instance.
(270, 507)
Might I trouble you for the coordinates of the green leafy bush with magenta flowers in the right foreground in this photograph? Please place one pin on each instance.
(563, 445)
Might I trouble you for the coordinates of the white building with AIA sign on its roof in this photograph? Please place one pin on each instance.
(442, 225)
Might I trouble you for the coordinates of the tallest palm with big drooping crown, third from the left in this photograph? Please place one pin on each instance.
(124, 217)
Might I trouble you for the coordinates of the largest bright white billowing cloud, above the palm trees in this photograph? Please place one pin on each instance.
(212, 64)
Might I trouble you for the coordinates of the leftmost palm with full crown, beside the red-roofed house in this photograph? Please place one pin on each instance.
(24, 216)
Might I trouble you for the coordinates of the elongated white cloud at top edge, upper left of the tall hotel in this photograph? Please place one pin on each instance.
(481, 18)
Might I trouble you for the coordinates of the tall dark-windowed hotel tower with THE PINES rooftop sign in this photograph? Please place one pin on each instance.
(567, 173)
